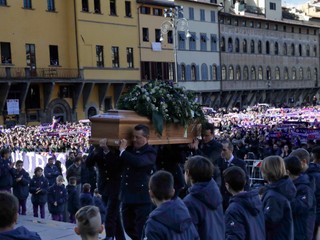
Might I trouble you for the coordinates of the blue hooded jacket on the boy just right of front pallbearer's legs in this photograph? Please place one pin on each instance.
(171, 220)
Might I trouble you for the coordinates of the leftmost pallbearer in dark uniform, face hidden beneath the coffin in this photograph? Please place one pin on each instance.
(109, 168)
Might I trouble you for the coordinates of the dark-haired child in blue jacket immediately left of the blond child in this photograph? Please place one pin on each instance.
(244, 216)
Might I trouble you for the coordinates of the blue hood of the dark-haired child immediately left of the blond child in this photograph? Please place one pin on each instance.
(250, 201)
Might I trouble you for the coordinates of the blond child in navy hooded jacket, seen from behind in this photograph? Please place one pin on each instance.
(278, 194)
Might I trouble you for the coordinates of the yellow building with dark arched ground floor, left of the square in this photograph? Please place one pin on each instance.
(68, 59)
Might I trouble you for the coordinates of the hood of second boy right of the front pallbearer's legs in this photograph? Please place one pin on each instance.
(208, 193)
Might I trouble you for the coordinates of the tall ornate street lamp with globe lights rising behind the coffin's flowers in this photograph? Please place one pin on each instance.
(176, 23)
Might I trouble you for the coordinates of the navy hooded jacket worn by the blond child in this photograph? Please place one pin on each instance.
(277, 209)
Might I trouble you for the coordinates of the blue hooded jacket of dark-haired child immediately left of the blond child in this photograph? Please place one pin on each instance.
(244, 217)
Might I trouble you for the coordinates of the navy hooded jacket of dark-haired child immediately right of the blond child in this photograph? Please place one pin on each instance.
(304, 208)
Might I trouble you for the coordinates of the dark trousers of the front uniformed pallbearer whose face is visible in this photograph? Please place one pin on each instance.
(134, 217)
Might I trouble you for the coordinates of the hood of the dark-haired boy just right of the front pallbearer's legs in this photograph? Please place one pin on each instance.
(173, 214)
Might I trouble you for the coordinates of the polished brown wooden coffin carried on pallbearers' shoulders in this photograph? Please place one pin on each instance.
(118, 124)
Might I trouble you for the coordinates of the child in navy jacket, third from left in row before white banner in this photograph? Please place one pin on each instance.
(39, 190)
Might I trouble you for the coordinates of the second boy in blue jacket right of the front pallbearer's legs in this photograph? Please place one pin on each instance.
(204, 200)
